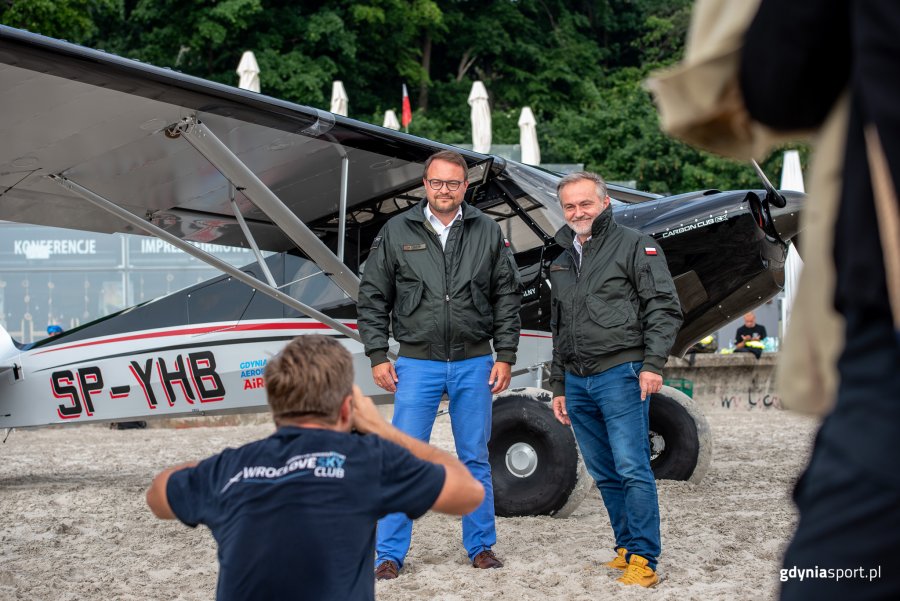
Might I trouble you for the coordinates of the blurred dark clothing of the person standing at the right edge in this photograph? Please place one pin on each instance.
(798, 60)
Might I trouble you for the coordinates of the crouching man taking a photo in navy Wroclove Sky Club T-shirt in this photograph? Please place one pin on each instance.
(294, 514)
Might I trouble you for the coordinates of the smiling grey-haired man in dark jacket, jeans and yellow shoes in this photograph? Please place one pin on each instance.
(614, 317)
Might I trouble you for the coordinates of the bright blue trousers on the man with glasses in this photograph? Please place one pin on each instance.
(421, 384)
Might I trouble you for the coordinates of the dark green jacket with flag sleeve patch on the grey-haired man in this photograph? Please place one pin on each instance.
(619, 305)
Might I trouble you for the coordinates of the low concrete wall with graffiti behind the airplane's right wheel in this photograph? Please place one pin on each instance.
(736, 382)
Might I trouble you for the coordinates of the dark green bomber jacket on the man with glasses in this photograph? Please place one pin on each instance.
(444, 304)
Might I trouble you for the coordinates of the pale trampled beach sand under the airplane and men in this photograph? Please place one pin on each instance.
(73, 523)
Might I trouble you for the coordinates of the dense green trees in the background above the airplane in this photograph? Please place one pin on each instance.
(579, 64)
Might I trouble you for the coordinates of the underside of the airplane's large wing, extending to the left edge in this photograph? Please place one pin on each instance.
(105, 123)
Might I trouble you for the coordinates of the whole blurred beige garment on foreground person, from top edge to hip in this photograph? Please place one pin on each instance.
(700, 102)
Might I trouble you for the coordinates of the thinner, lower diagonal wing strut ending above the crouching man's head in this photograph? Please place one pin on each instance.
(207, 258)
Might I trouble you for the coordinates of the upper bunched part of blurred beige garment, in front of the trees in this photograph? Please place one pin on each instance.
(699, 101)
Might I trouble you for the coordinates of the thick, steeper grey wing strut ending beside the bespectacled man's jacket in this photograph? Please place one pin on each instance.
(220, 156)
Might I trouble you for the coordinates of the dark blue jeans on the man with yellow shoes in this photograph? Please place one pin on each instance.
(611, 425)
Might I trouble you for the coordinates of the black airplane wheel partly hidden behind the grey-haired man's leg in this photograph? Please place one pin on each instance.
(680, 440)
